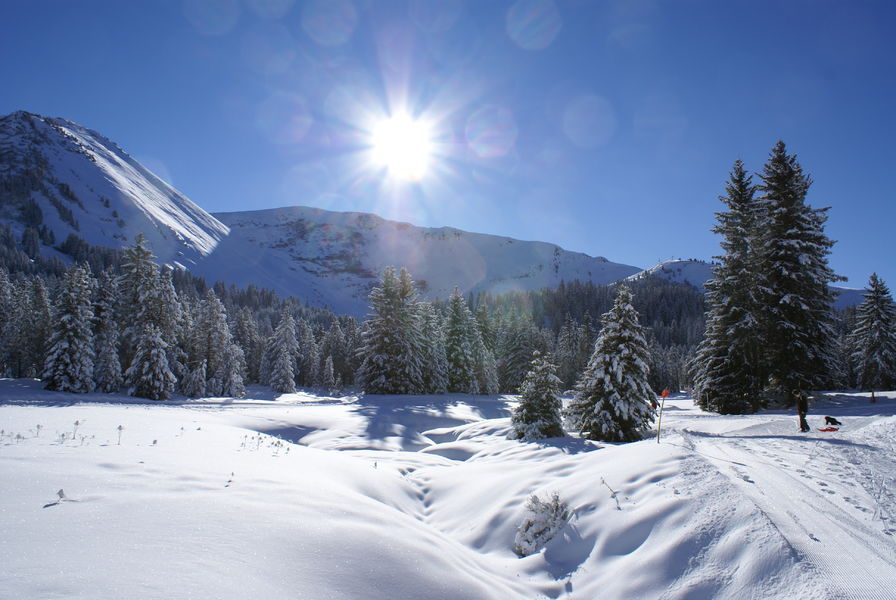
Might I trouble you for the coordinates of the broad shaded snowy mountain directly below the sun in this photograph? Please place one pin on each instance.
(333, 258)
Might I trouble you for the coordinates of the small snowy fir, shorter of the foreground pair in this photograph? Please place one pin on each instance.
(537, 416)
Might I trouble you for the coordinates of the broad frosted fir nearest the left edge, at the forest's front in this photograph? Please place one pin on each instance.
(69, 364)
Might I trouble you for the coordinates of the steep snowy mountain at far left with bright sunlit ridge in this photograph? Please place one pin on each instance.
(57, 174)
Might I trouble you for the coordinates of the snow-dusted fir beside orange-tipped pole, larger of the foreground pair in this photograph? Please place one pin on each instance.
(613, 397)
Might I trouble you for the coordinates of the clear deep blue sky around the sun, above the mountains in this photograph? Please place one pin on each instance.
(607, 127)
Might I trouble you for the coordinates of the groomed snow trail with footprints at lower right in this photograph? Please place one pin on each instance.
(858, 558)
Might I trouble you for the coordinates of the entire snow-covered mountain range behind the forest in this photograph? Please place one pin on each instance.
(61, 178)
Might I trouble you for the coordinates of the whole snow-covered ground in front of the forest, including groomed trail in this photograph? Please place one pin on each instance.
(302, 496)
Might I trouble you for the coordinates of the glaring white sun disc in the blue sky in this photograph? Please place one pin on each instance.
(403, 146)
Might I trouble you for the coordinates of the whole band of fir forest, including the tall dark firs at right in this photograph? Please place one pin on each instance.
(115, 320)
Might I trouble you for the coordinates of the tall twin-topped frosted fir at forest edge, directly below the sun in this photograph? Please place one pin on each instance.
(392, 347)
